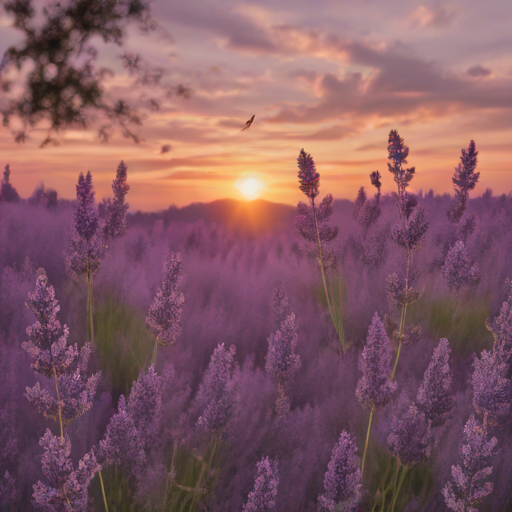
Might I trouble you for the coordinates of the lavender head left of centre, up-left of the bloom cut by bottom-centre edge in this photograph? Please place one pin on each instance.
(218, 394)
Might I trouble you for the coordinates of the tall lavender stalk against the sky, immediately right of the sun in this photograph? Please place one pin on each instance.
(312, 224)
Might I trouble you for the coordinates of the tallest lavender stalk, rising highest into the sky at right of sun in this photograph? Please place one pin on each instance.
(409, 234)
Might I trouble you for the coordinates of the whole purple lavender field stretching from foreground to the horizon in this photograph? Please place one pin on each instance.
(337, 356)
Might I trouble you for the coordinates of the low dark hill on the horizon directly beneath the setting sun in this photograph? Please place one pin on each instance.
(250, 218)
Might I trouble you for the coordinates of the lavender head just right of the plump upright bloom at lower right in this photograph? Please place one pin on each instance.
(434, 398)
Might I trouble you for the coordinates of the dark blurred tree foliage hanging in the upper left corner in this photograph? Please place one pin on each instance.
(56, 64)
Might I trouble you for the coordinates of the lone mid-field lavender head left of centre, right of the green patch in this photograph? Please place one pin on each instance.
(164, 314)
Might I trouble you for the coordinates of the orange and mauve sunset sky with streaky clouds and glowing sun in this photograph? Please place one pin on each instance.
(332, 77)
